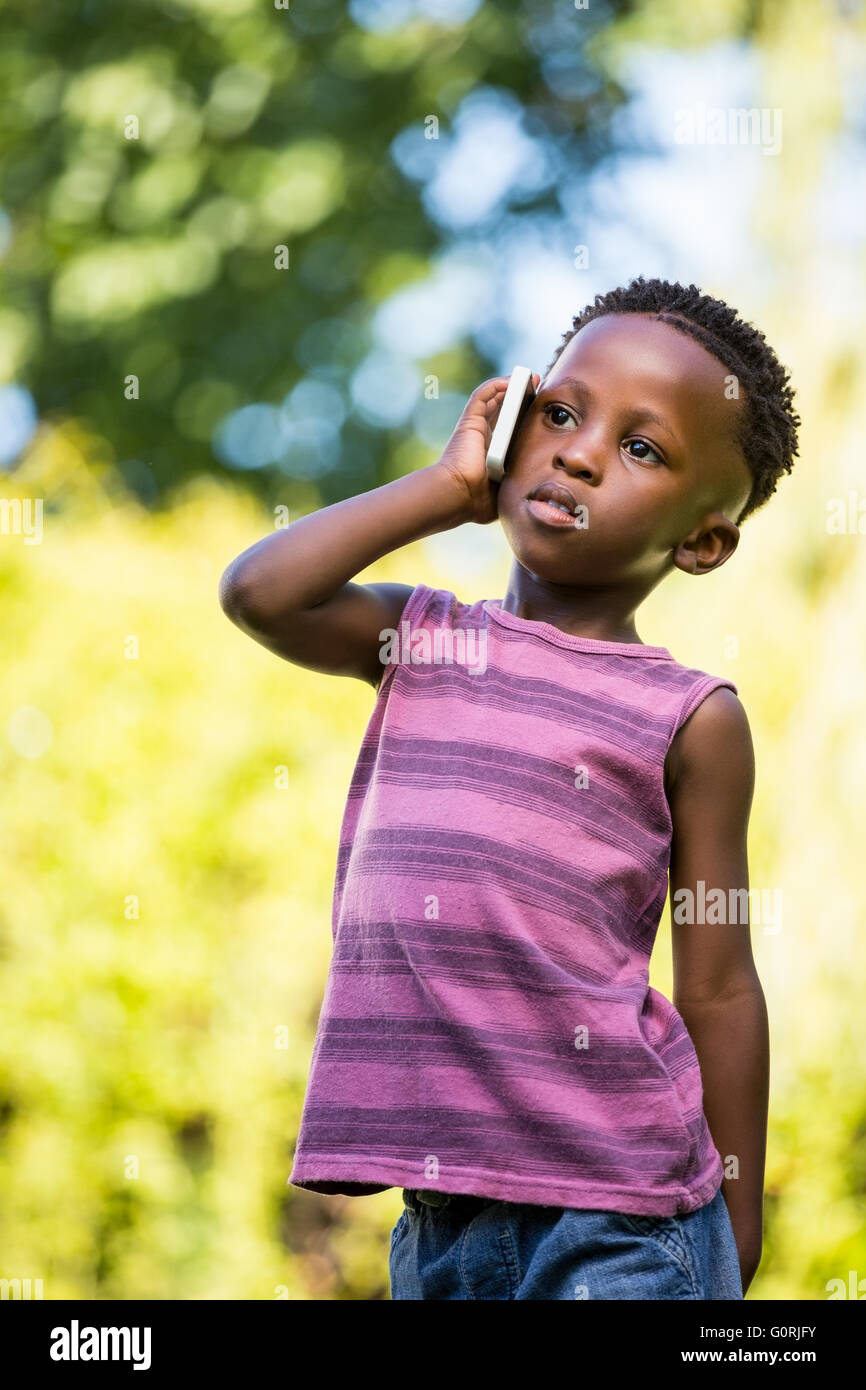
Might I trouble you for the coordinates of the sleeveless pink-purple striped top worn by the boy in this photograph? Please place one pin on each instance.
(487, 1025)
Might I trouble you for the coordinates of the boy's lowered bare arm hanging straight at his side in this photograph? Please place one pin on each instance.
(710, 783)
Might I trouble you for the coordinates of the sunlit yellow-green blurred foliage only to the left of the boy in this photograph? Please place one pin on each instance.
(166, 928)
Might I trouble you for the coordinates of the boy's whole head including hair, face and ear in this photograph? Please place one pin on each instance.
(669, 420)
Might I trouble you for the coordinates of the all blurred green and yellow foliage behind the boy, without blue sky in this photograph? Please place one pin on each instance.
(169, 856)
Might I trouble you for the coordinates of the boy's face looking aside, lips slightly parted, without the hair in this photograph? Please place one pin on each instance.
(633, 425)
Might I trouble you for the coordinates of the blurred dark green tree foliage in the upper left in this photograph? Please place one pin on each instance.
(159, 154)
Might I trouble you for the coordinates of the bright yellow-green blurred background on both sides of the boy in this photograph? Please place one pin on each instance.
(155, 1035)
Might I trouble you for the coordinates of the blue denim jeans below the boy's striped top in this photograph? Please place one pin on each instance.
(476, 1248)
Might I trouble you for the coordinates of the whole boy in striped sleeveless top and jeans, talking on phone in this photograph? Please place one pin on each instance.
(489, 1039)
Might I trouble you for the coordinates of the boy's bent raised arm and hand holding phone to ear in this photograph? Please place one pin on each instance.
(293, 591)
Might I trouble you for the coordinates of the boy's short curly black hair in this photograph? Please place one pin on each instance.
(768, 434)
